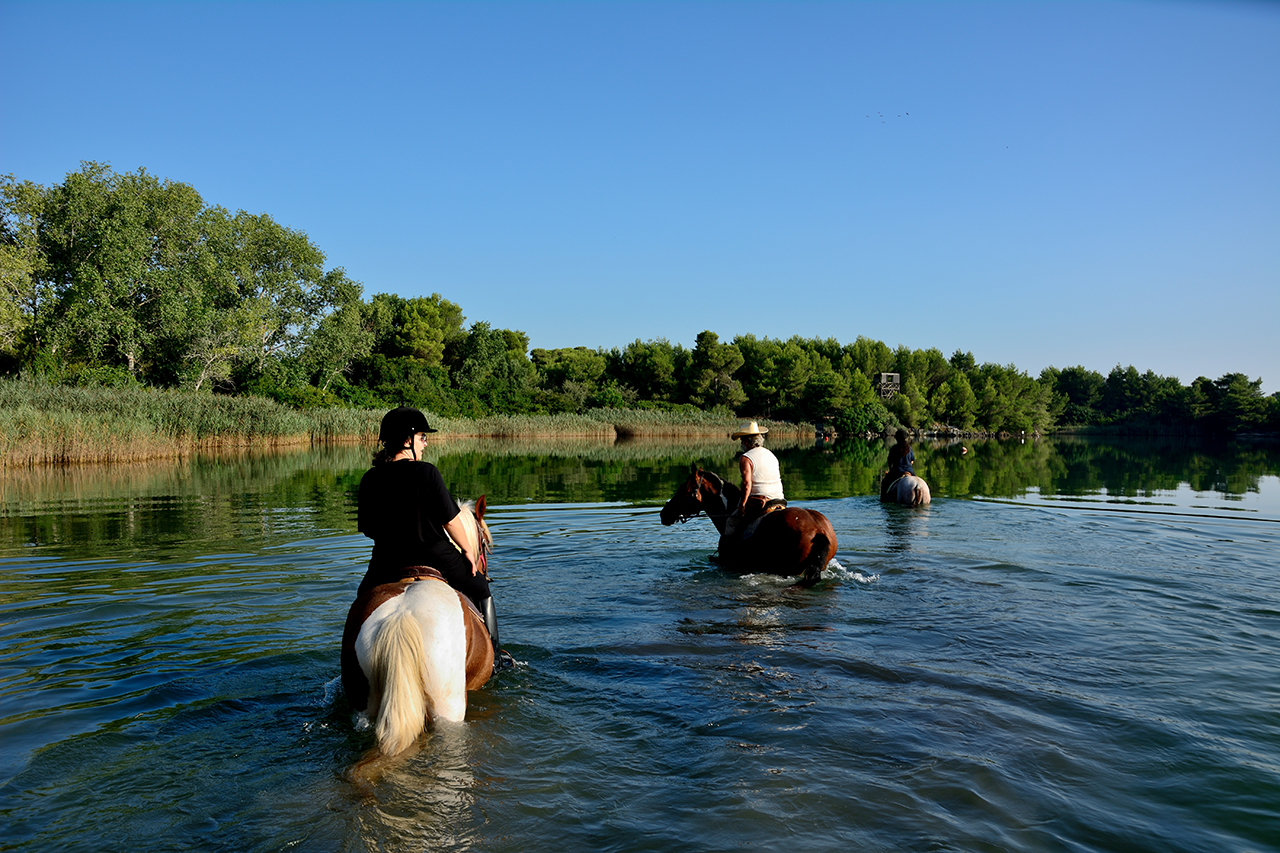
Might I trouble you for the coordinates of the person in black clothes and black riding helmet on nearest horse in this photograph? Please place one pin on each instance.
(406, 510)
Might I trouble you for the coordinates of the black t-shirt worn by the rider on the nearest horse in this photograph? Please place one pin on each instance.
(404, 508)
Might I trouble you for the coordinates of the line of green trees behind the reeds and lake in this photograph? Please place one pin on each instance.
(122, 280)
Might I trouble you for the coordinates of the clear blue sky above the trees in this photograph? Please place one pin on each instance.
(1039, 183)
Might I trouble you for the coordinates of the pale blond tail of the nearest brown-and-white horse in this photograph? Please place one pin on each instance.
(399, 682)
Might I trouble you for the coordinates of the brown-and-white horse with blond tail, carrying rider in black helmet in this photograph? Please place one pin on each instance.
(412, 650)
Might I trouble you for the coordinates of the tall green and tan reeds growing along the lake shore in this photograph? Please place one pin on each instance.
(45, 425)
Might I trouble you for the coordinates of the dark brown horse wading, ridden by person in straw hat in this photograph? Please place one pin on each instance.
(784, 542)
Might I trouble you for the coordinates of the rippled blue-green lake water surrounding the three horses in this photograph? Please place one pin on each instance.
(1075, 649)
